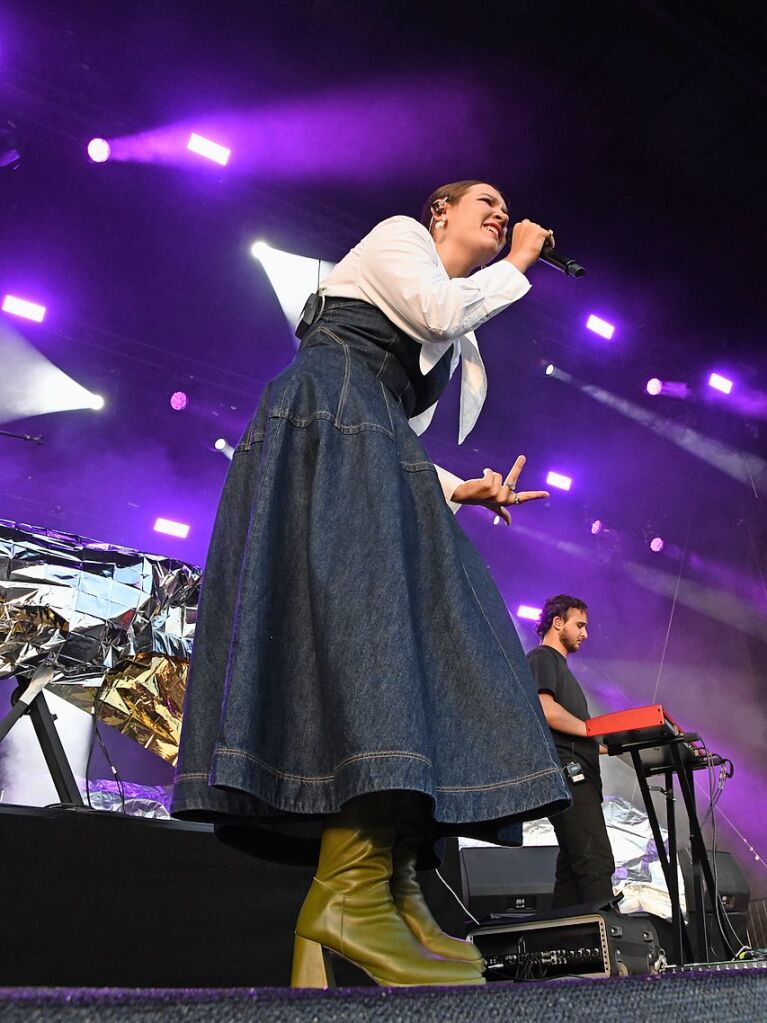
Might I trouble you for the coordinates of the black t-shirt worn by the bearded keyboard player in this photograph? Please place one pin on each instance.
(553, 675)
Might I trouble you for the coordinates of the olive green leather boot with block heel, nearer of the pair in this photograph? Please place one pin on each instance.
(350, 910)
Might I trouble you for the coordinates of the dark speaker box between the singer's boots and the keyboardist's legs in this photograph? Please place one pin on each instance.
(498, 880)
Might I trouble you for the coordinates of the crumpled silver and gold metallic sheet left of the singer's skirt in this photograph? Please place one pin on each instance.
(110, 621)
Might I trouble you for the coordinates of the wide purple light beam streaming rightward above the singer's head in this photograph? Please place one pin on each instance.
(310, 137)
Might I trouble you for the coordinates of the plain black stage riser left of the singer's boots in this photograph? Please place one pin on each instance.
(99, 900)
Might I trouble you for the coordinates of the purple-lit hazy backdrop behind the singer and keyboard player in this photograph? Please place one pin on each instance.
(635, 128)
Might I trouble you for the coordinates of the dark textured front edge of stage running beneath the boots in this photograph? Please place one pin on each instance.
(725, 998)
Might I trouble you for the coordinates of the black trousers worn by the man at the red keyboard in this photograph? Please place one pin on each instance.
(585, 864)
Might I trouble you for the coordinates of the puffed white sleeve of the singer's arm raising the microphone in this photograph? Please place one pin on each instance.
(400, 273)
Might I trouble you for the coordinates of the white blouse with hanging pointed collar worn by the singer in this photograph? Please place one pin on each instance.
(397, 270)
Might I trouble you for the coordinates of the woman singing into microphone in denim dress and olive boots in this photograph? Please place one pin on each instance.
(355, 669)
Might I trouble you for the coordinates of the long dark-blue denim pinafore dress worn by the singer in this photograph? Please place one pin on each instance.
(350, 640)
